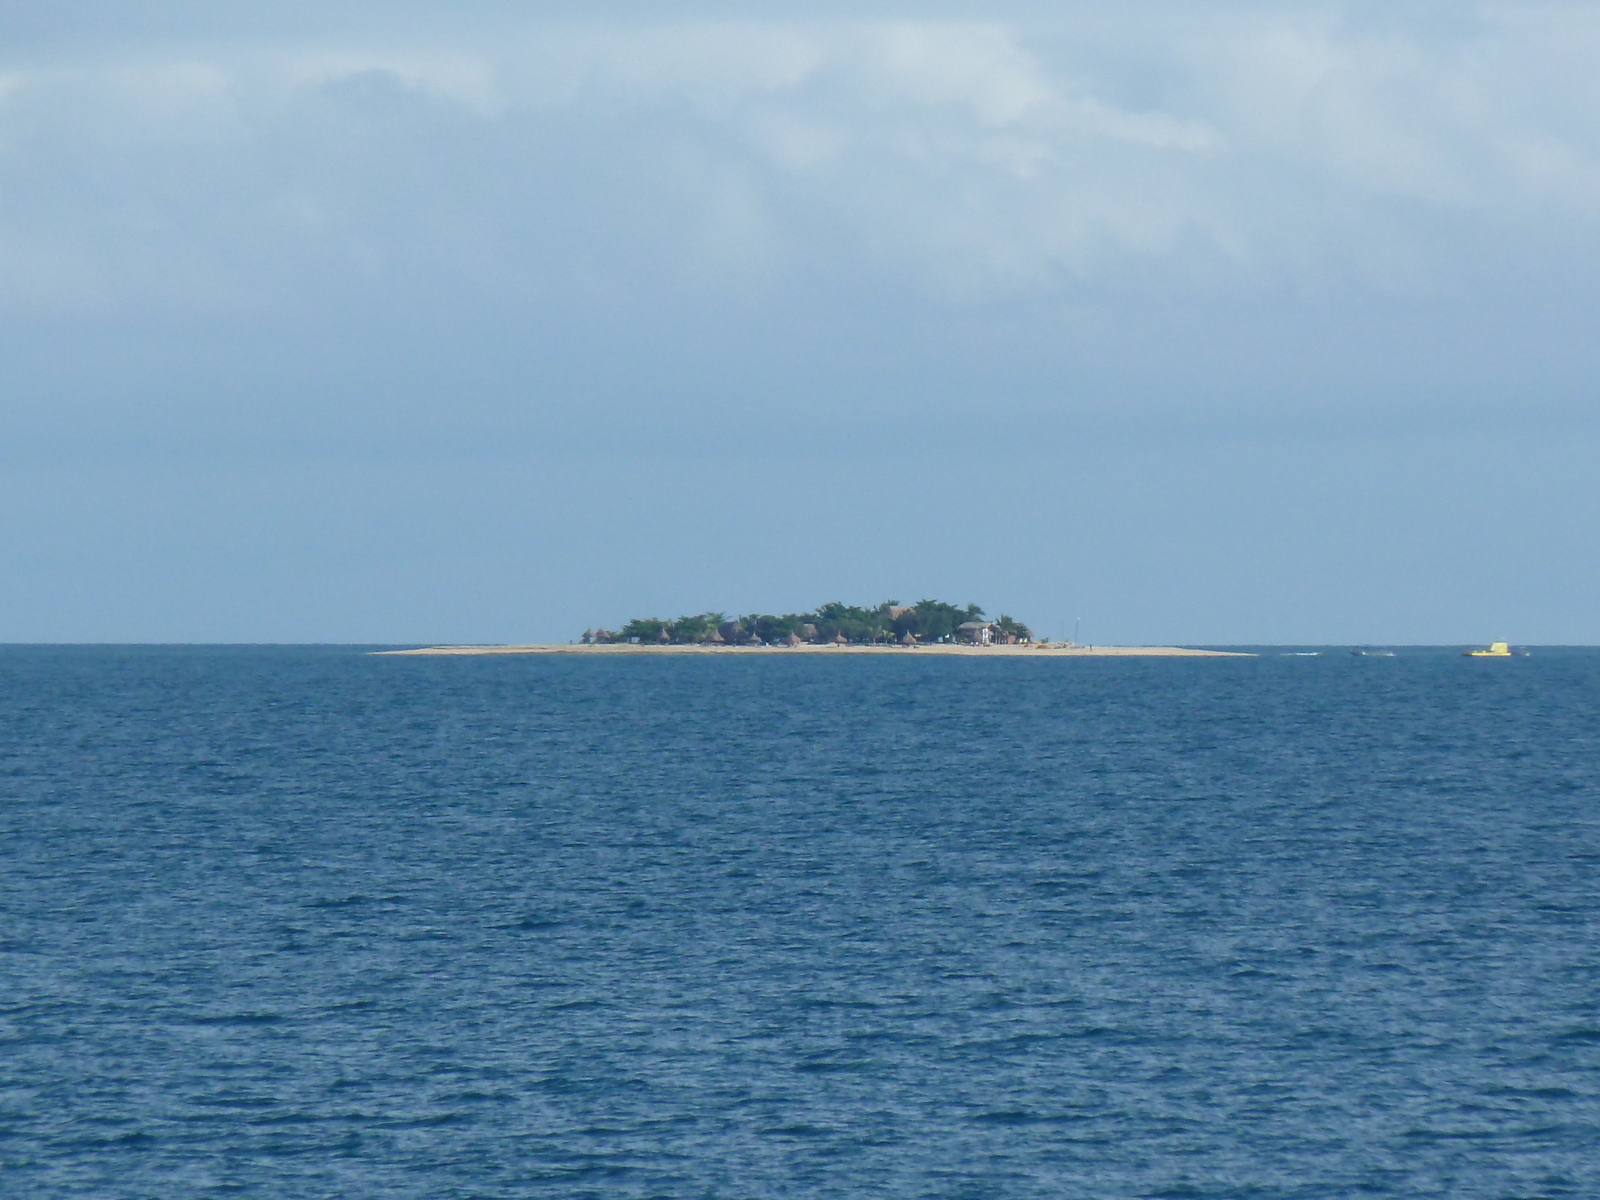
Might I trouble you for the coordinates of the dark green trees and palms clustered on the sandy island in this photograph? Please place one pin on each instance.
(927, 622)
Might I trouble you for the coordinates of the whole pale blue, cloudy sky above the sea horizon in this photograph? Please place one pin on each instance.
(1201, 324)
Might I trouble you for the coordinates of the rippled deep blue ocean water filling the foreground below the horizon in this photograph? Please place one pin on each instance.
(302, 922)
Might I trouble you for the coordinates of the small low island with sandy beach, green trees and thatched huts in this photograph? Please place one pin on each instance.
(892, 628)
